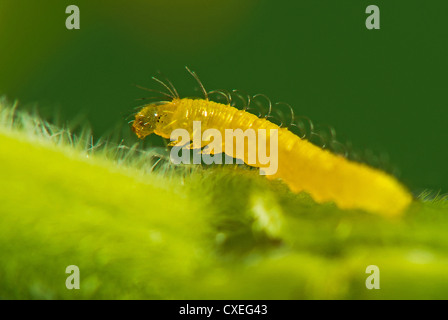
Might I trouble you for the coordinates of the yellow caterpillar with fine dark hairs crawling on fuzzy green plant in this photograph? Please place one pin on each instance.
(301, 165)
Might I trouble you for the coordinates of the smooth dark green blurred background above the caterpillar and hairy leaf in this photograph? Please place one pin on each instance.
(381, 89)
